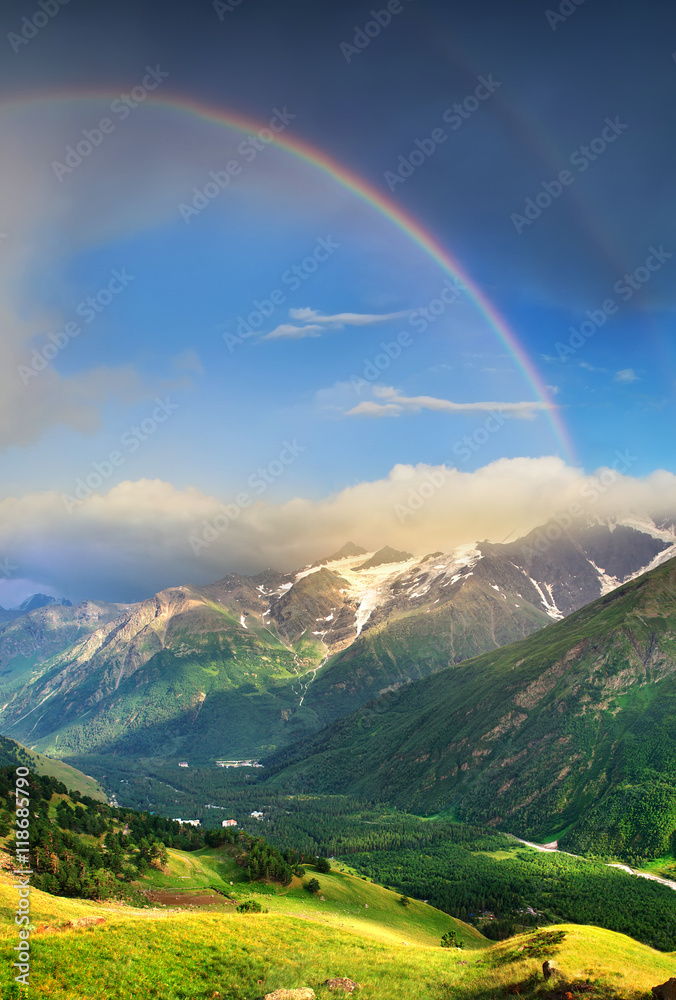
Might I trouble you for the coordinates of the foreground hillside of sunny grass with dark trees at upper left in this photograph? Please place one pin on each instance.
(187, 935)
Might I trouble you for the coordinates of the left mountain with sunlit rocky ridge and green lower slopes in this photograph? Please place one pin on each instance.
(177, 673)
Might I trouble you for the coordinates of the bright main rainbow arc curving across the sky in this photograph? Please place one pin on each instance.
(375, 199)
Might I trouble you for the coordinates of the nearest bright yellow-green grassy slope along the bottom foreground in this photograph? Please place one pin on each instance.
(91, 951)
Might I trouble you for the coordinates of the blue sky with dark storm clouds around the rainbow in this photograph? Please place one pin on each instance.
(592, 99)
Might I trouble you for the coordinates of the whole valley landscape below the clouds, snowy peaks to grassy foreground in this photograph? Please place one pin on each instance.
(395, 714)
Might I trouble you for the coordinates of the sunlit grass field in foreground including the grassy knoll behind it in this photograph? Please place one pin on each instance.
(391, 950)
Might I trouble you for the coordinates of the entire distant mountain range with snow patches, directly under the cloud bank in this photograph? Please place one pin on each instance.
(249, 664)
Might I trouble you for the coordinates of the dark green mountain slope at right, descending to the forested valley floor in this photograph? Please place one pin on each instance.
(570, 731)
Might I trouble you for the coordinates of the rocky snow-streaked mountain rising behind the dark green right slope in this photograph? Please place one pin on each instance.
(445, 609)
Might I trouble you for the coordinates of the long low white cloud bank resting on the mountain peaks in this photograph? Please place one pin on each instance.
(134, 540)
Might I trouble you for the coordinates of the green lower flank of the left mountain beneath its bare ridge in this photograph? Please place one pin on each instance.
(174, 704)
